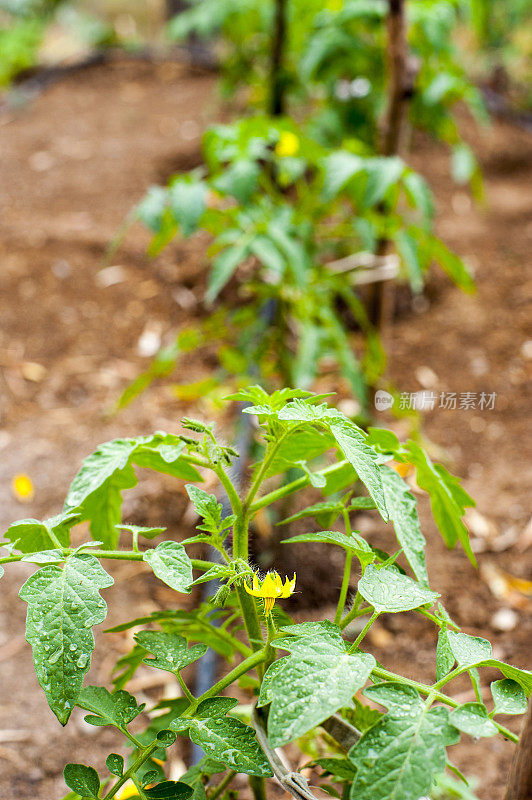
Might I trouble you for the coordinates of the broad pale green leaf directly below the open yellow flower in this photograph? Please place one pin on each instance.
(319, 678)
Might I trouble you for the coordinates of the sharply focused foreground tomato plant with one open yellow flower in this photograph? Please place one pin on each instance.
(308, 682)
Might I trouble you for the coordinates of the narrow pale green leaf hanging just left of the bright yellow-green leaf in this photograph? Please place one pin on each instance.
(402, 508)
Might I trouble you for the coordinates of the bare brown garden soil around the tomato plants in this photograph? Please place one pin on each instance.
(73, 163)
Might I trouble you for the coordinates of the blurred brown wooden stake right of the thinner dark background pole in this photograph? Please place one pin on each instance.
(399, 90)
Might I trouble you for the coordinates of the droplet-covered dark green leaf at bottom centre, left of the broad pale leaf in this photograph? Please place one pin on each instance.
(224, 738)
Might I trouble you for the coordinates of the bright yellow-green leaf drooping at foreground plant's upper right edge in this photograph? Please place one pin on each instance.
(448, 499)
